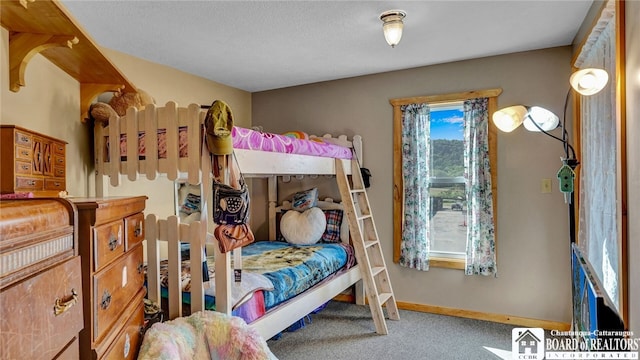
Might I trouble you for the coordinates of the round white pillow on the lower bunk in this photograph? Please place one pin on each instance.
(303, 228)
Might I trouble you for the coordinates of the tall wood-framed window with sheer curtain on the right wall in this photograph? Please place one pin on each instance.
(603, 182)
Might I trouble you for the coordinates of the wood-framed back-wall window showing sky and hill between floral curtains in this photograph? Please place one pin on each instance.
(448, 214)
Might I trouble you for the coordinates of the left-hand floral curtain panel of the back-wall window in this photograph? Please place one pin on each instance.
(414, 250)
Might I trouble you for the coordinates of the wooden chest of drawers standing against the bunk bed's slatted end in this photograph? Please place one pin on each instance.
(110, 234)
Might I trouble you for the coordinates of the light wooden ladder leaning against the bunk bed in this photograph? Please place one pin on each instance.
(366, 245)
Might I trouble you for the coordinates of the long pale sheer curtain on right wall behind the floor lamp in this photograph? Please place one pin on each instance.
(597, 224)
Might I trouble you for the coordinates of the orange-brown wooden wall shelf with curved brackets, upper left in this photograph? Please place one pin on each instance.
(47, 28)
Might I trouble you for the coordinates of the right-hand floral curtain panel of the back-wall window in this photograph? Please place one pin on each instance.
(481, 247)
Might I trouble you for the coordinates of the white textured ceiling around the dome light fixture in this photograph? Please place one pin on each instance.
(263, 45)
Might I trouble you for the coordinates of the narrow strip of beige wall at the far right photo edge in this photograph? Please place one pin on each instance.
(632, 32)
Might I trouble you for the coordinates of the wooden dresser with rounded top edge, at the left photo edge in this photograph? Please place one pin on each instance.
(41, 294)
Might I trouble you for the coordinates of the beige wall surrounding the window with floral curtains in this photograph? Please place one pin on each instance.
(533, 246)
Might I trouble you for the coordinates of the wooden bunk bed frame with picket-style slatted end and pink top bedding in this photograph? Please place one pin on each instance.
(169, 141)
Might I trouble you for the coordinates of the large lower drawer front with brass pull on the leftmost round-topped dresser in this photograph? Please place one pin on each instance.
(29, 326)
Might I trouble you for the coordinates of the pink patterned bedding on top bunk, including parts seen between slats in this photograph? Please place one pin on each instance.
(244, 139)
